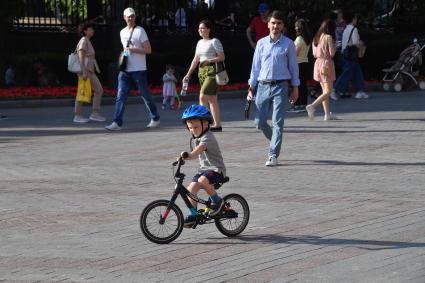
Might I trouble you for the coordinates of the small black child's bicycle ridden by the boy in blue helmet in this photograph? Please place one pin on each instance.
(162, 221)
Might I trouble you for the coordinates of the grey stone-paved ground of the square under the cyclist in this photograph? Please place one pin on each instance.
(346, 203)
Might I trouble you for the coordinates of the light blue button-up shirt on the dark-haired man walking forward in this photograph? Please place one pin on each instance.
(274, 61)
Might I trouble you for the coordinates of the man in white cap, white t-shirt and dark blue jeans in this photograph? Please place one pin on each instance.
(136, 46)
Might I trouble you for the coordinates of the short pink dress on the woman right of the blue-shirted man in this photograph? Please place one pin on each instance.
(324, 68)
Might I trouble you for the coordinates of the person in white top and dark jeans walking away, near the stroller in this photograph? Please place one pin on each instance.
(351, 69)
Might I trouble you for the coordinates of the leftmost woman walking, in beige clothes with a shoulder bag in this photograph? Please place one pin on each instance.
(89, 67)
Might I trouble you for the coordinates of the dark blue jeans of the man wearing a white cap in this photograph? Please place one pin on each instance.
(125, 82)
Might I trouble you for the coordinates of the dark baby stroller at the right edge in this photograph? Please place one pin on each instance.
(406, 68)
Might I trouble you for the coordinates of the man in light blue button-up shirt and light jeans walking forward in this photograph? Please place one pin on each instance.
(273, 66)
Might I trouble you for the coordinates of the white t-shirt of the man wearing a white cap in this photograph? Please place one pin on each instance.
(136, 61)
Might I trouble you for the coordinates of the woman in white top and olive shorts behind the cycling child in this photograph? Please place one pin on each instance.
(209, 51)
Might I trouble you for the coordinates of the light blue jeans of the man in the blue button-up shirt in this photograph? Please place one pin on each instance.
(275, 96)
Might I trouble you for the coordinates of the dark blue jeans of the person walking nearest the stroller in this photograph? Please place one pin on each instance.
(350, 70)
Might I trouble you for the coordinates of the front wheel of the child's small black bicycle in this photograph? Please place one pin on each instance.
(159, 225)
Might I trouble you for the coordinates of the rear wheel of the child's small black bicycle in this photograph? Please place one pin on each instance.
(234, 216)
